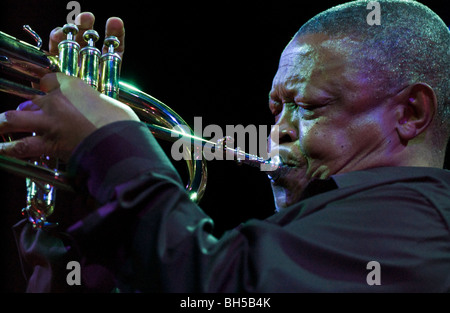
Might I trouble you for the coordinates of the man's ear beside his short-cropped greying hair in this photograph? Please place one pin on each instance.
(416, 110)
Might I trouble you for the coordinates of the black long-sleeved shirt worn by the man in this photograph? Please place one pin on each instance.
(379, 230)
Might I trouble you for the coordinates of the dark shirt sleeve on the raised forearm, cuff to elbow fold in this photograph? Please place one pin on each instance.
(146, 227)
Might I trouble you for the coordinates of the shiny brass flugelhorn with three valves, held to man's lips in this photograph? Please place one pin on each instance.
(30, 63)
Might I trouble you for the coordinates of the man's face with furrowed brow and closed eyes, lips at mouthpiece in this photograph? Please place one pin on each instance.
(332, 118)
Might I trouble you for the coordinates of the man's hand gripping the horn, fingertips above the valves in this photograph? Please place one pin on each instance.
(69, 112)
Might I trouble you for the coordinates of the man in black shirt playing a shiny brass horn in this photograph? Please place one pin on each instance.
(363, 204)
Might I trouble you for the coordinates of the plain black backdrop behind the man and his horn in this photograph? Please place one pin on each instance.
(214, 60)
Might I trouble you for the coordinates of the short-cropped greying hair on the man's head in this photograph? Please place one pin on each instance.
(411, 45)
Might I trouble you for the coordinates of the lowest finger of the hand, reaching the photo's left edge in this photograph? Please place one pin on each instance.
(27, 147)
